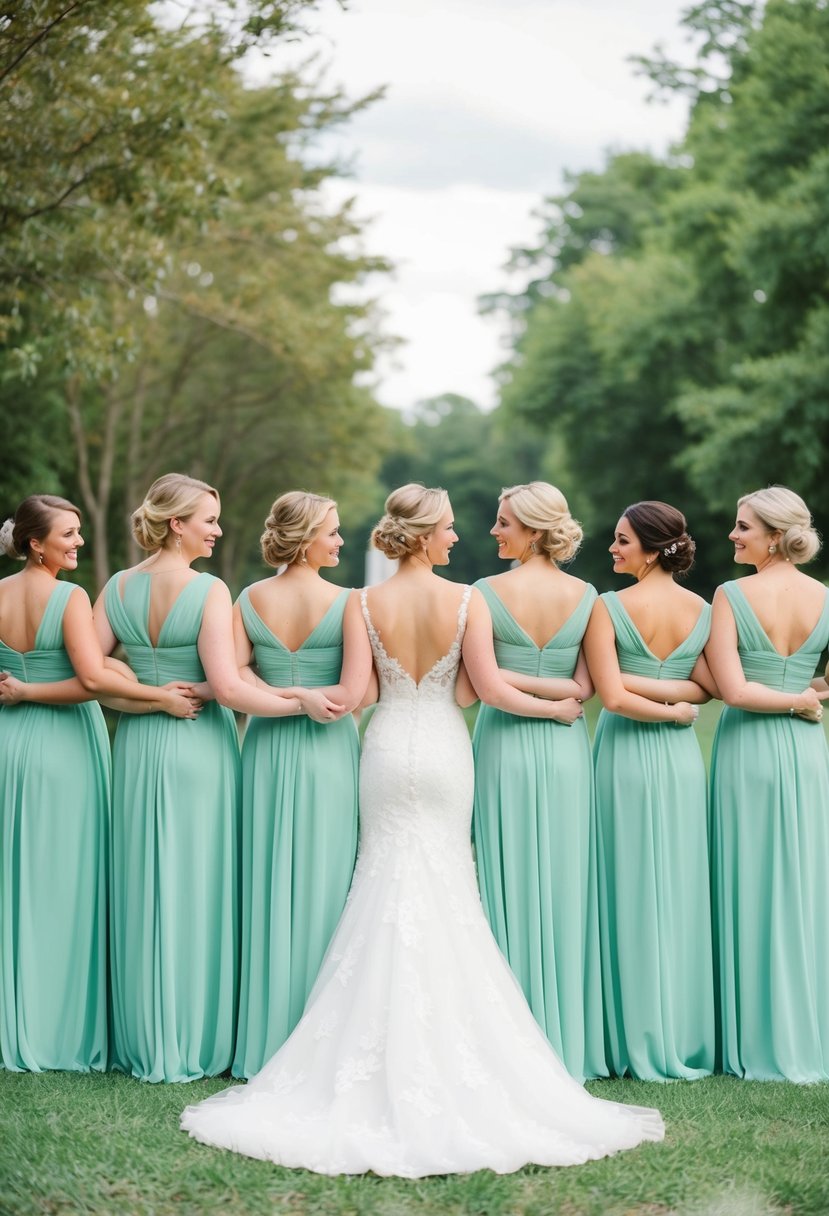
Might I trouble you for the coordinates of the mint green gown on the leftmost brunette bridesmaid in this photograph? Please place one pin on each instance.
(54, 836)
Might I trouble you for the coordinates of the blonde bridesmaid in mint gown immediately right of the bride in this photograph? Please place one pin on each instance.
(534, 779)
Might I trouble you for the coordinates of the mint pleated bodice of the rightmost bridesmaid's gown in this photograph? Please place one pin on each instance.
(760, 661)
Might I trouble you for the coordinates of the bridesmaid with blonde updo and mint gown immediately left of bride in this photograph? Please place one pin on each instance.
(300, 779)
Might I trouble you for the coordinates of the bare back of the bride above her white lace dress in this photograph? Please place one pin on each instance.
(416, 617)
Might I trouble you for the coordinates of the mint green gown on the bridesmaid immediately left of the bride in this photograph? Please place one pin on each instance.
(300, 837)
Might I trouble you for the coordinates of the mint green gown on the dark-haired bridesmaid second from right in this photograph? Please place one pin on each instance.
(653, 868)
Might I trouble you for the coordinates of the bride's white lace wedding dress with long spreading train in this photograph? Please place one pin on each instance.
(418, 1054)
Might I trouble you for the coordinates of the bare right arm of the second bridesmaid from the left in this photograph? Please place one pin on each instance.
(218, 655)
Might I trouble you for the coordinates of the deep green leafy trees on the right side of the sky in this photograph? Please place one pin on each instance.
(675, 337)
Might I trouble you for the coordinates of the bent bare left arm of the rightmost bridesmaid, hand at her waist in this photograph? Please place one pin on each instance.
(726, 668)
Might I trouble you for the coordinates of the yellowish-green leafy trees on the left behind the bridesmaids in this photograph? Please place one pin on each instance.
(173, 272)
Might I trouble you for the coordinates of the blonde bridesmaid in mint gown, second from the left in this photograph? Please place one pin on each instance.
(174, 948)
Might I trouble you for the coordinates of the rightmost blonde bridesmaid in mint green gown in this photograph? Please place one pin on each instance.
(770, 800)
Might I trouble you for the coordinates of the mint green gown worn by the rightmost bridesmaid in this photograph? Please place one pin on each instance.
(770, 854)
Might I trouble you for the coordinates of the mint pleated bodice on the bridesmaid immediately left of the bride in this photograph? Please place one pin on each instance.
(314, 665)
